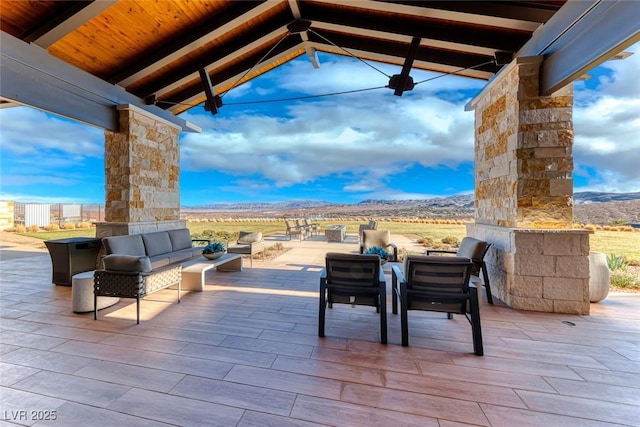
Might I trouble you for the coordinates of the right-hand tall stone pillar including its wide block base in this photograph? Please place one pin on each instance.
(524, 193)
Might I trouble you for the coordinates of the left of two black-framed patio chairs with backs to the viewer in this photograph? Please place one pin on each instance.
(356, 280)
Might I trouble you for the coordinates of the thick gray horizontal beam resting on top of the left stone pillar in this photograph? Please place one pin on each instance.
(30, 76)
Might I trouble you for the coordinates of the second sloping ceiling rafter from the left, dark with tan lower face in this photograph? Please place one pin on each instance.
(194, 39)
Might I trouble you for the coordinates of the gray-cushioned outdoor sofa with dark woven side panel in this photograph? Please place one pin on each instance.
(140, 264)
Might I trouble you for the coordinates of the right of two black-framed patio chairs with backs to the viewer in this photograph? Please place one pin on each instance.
(436, 283)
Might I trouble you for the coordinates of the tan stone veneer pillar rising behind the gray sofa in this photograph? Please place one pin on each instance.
(142, 175)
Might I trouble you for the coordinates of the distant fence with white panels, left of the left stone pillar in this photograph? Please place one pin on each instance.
(43, 214)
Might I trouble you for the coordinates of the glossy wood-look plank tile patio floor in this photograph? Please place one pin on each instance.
(246, 352)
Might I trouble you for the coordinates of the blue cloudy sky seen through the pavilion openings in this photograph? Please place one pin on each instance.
(342, 149)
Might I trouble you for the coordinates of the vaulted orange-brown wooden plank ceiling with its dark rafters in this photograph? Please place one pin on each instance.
(154, 49)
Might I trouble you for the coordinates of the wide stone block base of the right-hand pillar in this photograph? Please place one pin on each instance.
(538, 269)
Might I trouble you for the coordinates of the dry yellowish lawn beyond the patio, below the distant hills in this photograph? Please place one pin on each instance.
(609, 242)
